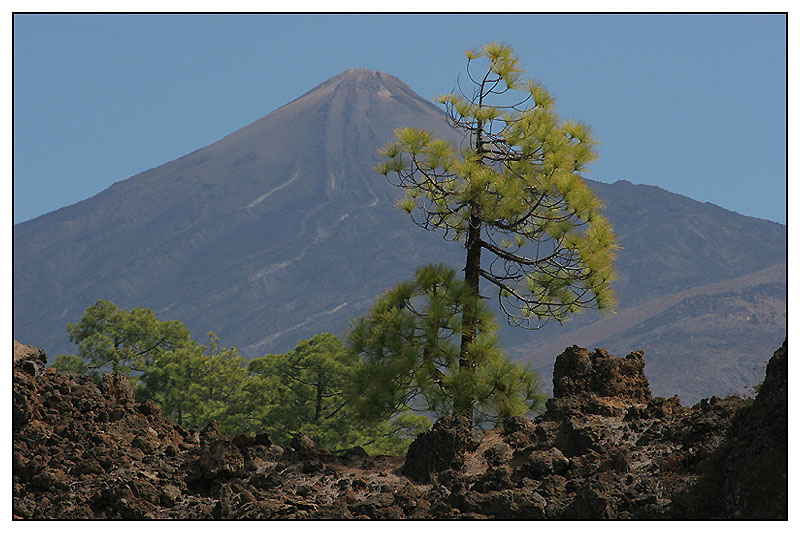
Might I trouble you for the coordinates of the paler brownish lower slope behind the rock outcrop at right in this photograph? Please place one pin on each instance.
(707, 334)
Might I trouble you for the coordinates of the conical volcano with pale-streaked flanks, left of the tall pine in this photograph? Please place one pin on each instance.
(258, 236)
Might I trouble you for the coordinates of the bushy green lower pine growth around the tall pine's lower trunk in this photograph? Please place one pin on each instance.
(409, 344)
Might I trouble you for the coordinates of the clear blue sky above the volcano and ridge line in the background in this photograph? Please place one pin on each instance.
(695, 104)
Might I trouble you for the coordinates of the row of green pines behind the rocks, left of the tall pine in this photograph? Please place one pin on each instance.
(280, 394)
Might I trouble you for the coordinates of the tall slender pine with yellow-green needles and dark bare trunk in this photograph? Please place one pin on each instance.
(513, 193)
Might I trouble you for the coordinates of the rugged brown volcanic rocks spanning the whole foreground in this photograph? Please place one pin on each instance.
(604, 448)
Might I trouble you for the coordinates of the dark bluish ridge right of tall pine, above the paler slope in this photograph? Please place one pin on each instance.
(671, 243)
